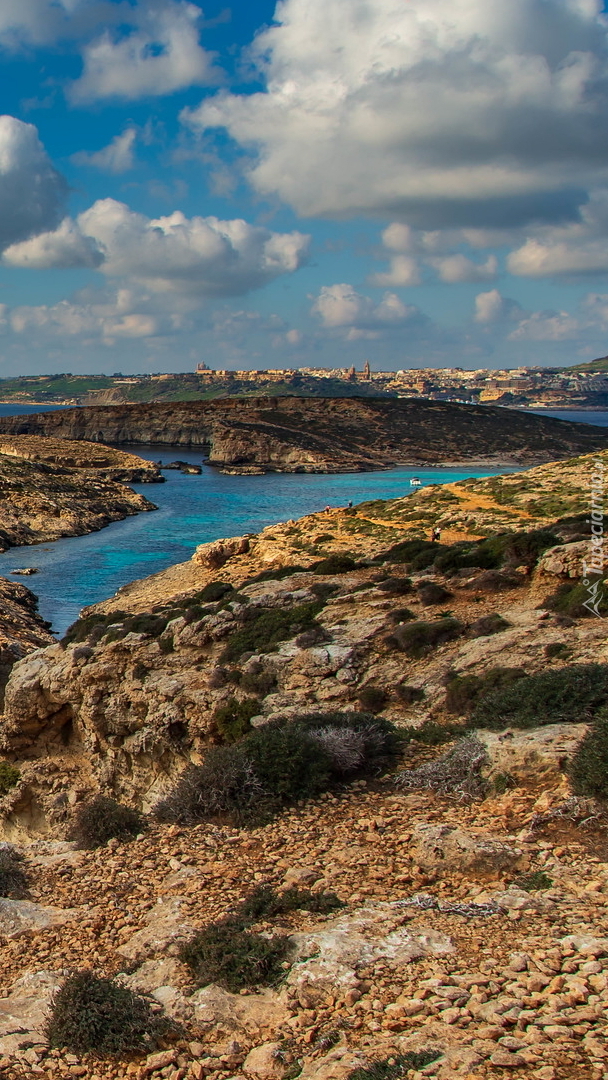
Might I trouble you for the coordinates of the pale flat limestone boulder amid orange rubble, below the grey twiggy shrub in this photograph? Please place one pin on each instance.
(438, 847)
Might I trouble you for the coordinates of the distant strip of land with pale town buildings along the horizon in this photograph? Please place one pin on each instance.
(582, 387)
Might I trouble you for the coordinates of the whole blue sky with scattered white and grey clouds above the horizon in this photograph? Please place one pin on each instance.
(315, 183)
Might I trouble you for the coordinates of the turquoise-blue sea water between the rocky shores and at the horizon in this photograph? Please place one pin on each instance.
(193, 510)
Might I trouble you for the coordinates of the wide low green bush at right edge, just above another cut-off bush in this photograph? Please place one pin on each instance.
(568, 696)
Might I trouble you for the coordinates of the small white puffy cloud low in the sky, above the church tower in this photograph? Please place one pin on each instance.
(341, 307)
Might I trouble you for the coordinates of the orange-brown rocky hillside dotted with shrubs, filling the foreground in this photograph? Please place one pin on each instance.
(471, 941)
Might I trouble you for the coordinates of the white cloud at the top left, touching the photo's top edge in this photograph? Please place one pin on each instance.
(160, 56)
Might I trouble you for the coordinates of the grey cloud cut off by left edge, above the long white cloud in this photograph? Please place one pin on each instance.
(32, 192)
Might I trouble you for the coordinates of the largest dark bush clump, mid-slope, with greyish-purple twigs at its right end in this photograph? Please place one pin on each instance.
(278, 765)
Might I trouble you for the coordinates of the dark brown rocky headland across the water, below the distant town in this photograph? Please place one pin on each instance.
(295, 435)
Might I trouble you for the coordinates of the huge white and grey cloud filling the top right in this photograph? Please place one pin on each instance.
(440, 113)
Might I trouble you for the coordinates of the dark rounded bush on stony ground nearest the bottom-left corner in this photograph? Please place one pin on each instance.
(93, 1016)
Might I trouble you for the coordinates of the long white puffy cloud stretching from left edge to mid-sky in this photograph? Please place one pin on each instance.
(198, 256)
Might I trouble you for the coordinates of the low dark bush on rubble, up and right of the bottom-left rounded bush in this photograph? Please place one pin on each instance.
(235, 958)
